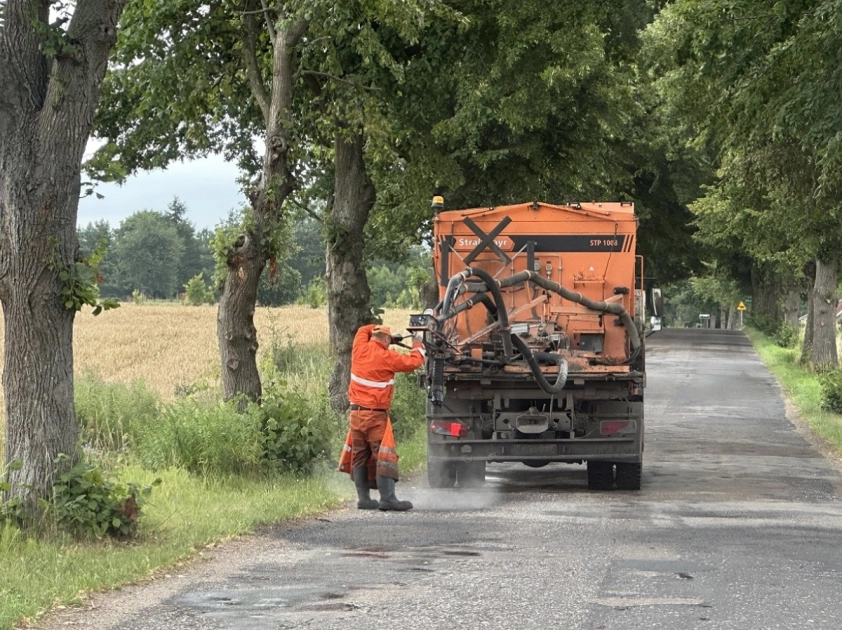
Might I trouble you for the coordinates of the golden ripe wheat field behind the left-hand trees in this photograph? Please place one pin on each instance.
(171, 346)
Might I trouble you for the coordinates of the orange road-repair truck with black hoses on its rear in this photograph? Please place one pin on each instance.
(535, 351)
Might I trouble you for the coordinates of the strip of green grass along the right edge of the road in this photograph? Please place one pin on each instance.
(802, 387)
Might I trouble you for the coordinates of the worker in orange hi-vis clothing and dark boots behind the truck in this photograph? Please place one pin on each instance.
(373, 368)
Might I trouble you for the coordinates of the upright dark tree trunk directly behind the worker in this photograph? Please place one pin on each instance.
(347, 286)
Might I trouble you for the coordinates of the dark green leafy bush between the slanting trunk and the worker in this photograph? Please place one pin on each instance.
(294, 434)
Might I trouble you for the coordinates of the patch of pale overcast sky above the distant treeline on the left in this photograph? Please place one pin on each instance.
(208, 187)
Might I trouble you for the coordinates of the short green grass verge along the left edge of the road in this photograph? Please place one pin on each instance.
(184, 515)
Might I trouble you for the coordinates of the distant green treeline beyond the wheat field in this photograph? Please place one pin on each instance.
(156, 254)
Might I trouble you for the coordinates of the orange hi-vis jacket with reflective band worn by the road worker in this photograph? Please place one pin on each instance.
(373, 368)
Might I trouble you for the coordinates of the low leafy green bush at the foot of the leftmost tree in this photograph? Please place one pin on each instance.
(89, 504)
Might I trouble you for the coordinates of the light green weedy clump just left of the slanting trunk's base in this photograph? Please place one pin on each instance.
(203, 438)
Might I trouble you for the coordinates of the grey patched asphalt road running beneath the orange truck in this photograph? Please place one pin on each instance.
(738, 525)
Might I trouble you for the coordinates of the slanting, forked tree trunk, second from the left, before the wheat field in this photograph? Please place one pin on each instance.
(246, 258)
